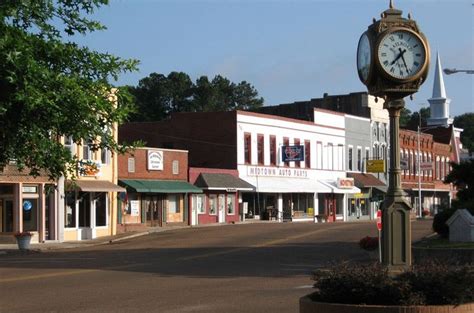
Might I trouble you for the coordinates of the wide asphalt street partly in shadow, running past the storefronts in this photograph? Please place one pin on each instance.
(232, 268)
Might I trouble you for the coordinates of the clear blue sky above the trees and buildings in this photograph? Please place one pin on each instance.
(288, 50)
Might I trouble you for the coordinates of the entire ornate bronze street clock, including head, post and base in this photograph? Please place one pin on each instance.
(393, 65)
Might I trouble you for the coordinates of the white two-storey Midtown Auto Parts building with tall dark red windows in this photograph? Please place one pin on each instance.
(315, 188)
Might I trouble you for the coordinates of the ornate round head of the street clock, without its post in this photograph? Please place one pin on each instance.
(393, 56)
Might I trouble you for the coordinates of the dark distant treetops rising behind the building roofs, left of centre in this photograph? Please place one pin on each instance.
(158, 96)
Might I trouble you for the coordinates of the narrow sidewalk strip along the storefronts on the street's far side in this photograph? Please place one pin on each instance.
(54, 245)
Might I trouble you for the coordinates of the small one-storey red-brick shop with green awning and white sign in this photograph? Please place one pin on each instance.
(158, 192)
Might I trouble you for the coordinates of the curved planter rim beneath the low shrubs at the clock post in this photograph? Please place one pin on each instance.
(309, 306)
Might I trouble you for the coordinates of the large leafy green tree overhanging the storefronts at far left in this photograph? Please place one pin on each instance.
(52, 87)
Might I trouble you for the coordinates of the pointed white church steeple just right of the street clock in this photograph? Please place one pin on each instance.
(439, 103)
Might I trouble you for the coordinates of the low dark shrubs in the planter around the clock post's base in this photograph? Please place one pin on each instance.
(428, 284)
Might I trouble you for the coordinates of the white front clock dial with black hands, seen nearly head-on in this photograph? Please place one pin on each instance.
(401, 54)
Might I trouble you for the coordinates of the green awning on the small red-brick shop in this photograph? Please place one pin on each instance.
(158, 186)
